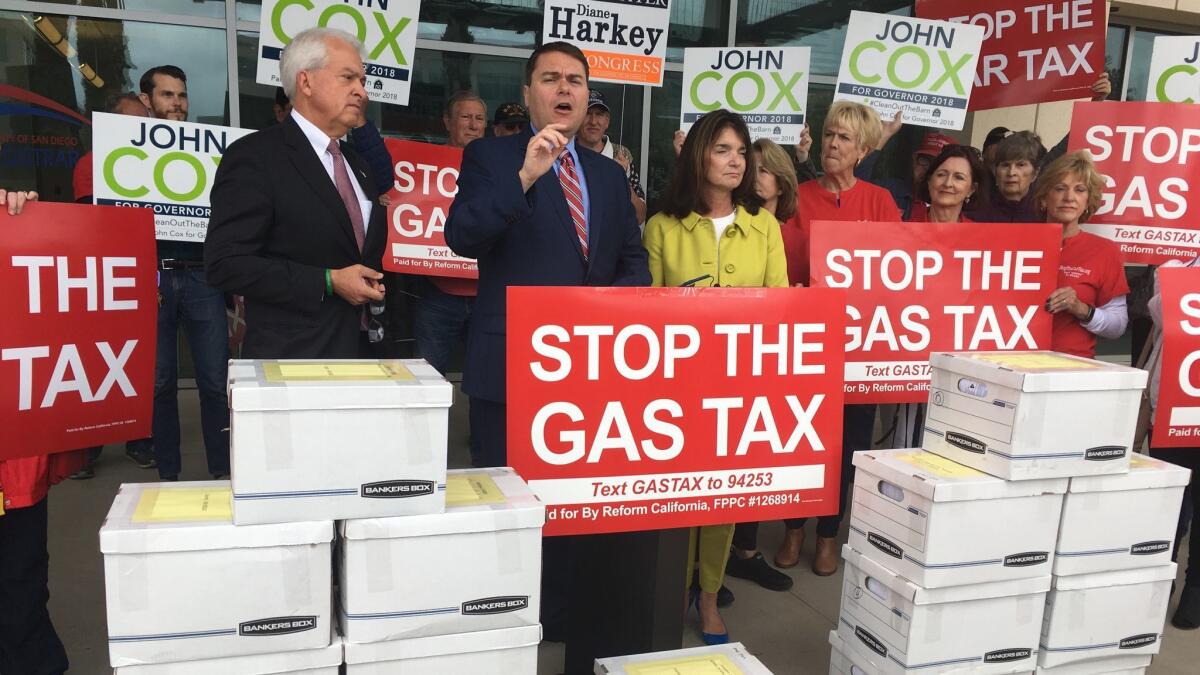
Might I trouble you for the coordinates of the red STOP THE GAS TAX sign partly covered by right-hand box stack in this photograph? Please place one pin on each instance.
(921, 288)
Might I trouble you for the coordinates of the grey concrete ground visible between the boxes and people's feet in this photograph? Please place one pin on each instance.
(788, 631)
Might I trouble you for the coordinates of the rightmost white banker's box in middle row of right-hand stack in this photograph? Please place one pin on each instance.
(1121, 522)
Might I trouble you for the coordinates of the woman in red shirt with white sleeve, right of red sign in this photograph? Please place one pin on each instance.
(1091, 296)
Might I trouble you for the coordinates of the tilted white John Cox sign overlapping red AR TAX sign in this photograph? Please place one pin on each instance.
(923, 68)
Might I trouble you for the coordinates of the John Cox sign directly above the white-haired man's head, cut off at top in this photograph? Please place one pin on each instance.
(387, 28)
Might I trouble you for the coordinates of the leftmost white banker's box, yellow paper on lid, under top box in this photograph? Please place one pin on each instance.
(183, 583)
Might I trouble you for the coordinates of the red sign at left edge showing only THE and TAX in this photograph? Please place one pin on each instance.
(77, 344)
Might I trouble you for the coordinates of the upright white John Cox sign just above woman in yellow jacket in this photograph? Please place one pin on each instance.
(769, 87)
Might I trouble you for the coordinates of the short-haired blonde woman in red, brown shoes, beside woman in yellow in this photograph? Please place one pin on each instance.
(851, 132)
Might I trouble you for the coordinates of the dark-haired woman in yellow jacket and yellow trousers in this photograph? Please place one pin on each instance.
(713, 232)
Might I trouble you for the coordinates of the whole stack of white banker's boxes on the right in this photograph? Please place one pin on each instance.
(1025, 537)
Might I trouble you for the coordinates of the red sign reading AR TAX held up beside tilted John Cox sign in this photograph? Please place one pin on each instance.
(1033, 52)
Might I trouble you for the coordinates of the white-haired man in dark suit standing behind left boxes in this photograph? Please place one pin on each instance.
(297, 228)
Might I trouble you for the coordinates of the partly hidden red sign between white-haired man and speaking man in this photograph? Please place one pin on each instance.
(427, 183)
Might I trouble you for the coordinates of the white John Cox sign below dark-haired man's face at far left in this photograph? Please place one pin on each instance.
(161, 165)
